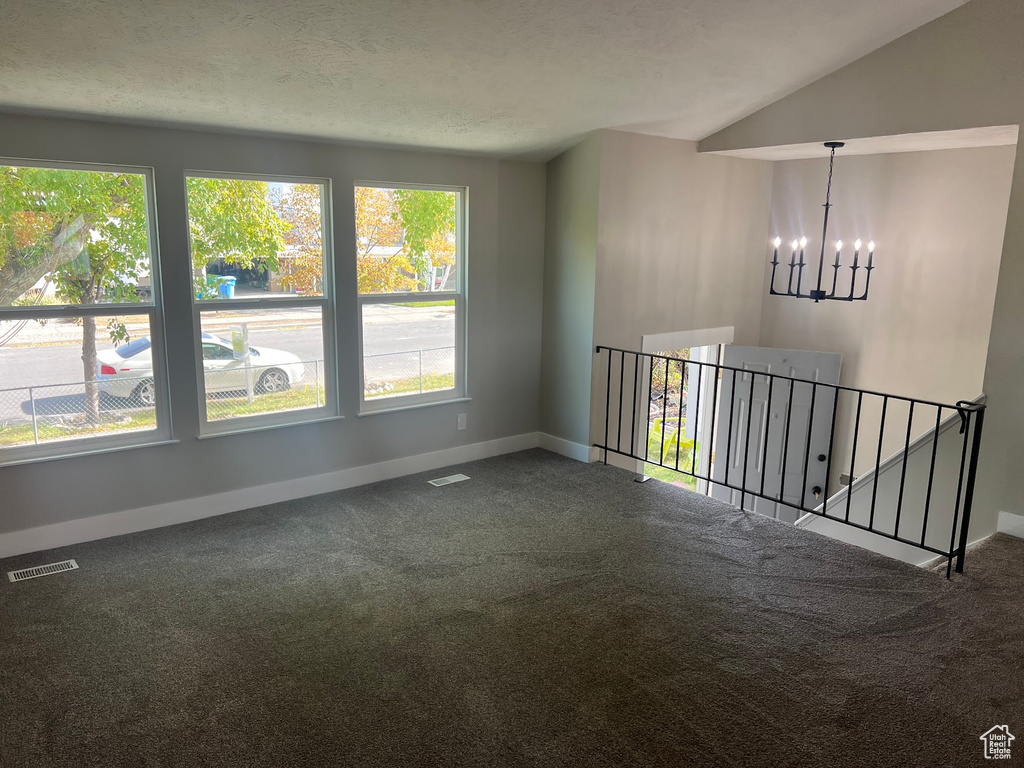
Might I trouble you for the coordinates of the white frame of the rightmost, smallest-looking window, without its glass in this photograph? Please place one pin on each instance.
(460, 295)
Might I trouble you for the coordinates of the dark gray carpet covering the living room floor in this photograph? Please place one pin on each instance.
(544, 614)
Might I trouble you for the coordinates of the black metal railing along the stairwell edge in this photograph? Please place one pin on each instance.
(649, 409)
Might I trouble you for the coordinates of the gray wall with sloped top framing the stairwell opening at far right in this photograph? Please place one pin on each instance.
(965, 70)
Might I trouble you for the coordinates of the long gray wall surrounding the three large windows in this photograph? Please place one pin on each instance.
(506, 254)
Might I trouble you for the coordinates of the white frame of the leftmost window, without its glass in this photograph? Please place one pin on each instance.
(154, 311)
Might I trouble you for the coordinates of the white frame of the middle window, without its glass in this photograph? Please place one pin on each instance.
(326, 303)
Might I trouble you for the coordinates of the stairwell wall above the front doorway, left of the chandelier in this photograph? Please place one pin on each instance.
(677, 235)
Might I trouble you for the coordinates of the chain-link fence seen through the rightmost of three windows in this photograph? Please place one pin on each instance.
(409, 373)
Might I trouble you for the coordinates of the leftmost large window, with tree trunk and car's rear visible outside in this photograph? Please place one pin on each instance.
(81, 354)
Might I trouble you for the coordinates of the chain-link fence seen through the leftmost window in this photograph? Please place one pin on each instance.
(30, 416)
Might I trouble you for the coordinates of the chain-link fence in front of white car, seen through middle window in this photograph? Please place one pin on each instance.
(239, 391)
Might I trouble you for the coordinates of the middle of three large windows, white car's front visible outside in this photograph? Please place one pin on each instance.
(262, 286)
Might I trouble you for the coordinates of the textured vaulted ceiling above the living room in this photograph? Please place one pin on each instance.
(508, 78)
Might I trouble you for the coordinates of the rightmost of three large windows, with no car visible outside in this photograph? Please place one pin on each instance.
(411, 263)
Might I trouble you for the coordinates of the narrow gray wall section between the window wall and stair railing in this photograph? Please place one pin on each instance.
(570, 274)
